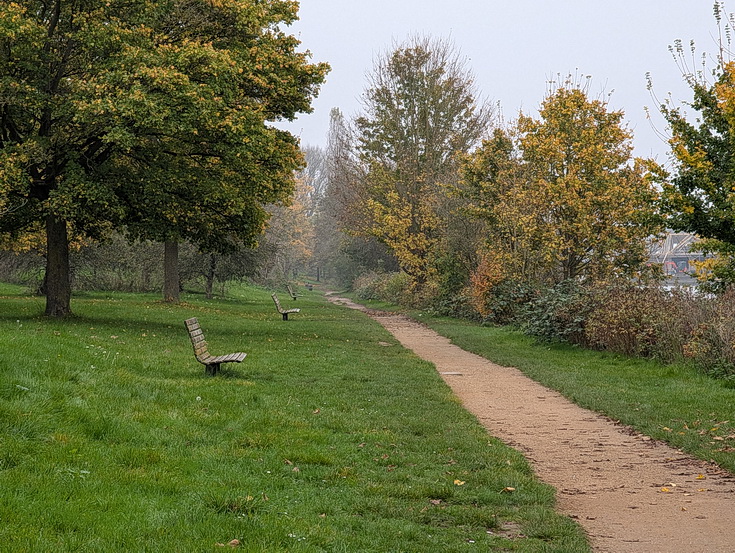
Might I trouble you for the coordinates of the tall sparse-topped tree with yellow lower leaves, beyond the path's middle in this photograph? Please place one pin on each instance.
(421, 109)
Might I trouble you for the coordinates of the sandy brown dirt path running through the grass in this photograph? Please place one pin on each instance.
(630, 493)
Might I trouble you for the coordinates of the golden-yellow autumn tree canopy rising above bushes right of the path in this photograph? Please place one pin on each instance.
(561, 195)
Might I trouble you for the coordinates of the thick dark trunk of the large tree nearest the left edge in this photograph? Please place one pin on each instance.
(57, 280)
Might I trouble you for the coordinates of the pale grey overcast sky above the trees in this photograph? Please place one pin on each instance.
(514, 48)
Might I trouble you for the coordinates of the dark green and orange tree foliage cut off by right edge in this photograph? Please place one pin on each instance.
(699, 196)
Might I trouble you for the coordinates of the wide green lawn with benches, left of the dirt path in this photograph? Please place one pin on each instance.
(112, 438)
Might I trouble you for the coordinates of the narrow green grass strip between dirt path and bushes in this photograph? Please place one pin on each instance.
(673, 403)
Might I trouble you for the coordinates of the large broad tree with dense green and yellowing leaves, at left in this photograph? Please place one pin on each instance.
(146, 115)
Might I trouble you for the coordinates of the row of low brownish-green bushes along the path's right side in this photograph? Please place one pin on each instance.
(679, 325)
